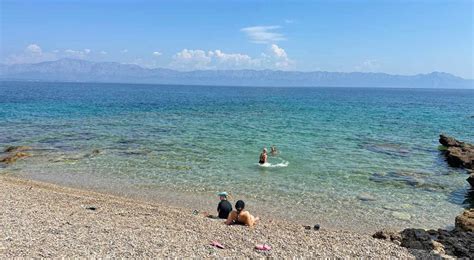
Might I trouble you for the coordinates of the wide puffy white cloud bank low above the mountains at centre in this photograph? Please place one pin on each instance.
(275, 58)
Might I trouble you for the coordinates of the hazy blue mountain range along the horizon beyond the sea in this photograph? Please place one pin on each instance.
(73, 70)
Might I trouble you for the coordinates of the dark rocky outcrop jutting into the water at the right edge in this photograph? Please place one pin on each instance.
(458, 154)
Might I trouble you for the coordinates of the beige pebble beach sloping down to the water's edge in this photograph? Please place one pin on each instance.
(47, 220)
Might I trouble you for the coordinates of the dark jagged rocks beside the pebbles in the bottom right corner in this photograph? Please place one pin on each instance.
(458, 242)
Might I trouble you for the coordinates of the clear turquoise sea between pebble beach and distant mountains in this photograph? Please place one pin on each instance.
(355, 158)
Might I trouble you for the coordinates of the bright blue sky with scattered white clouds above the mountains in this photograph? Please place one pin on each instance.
(396, 37)
